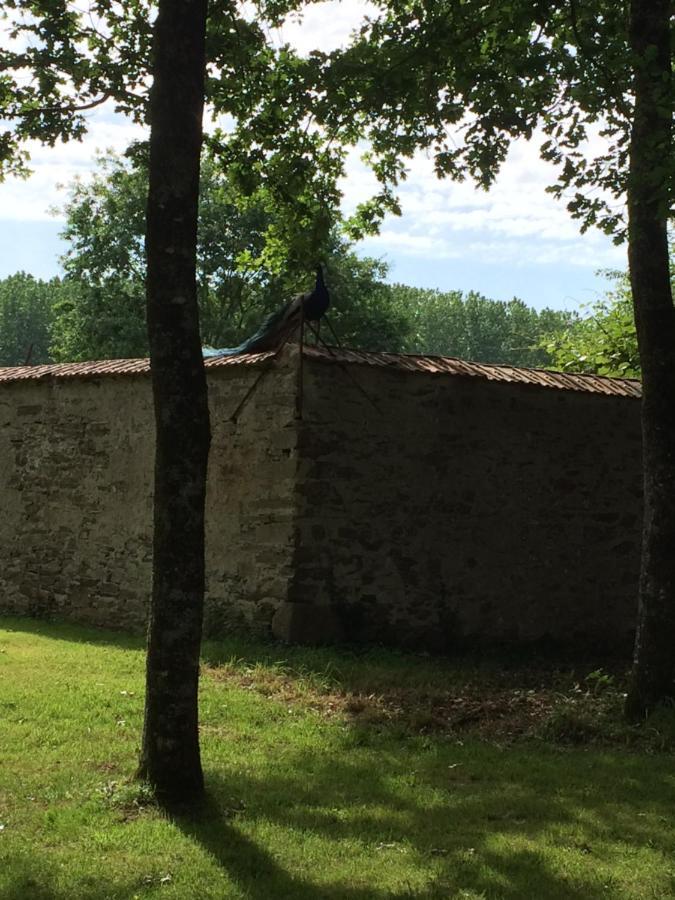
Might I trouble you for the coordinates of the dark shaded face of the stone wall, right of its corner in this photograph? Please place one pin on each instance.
(467, 510)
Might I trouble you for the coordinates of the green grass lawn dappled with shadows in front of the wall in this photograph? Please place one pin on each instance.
(330, 775)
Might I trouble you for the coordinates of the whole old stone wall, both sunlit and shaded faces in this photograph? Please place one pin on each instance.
(458, 511)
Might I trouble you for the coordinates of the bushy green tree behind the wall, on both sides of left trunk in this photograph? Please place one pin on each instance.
(104, 316)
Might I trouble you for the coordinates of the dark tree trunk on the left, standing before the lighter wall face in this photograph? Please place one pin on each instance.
(170, 757)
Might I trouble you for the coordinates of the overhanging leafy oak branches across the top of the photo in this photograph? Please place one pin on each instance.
(458, 78)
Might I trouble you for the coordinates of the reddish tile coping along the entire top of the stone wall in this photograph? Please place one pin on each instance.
(435, 365)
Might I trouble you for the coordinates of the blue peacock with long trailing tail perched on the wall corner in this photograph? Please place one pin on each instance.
(279, 325)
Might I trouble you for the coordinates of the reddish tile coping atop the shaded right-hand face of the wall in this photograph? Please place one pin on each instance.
(446, 365)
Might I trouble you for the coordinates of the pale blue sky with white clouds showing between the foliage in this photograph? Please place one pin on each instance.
(516, 240)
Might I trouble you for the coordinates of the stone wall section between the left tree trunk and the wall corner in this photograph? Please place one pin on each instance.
(250, 510)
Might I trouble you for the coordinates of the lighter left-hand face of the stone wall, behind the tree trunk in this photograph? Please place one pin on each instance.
(76, 488)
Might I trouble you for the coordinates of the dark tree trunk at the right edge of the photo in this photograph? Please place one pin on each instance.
(648, 208)
